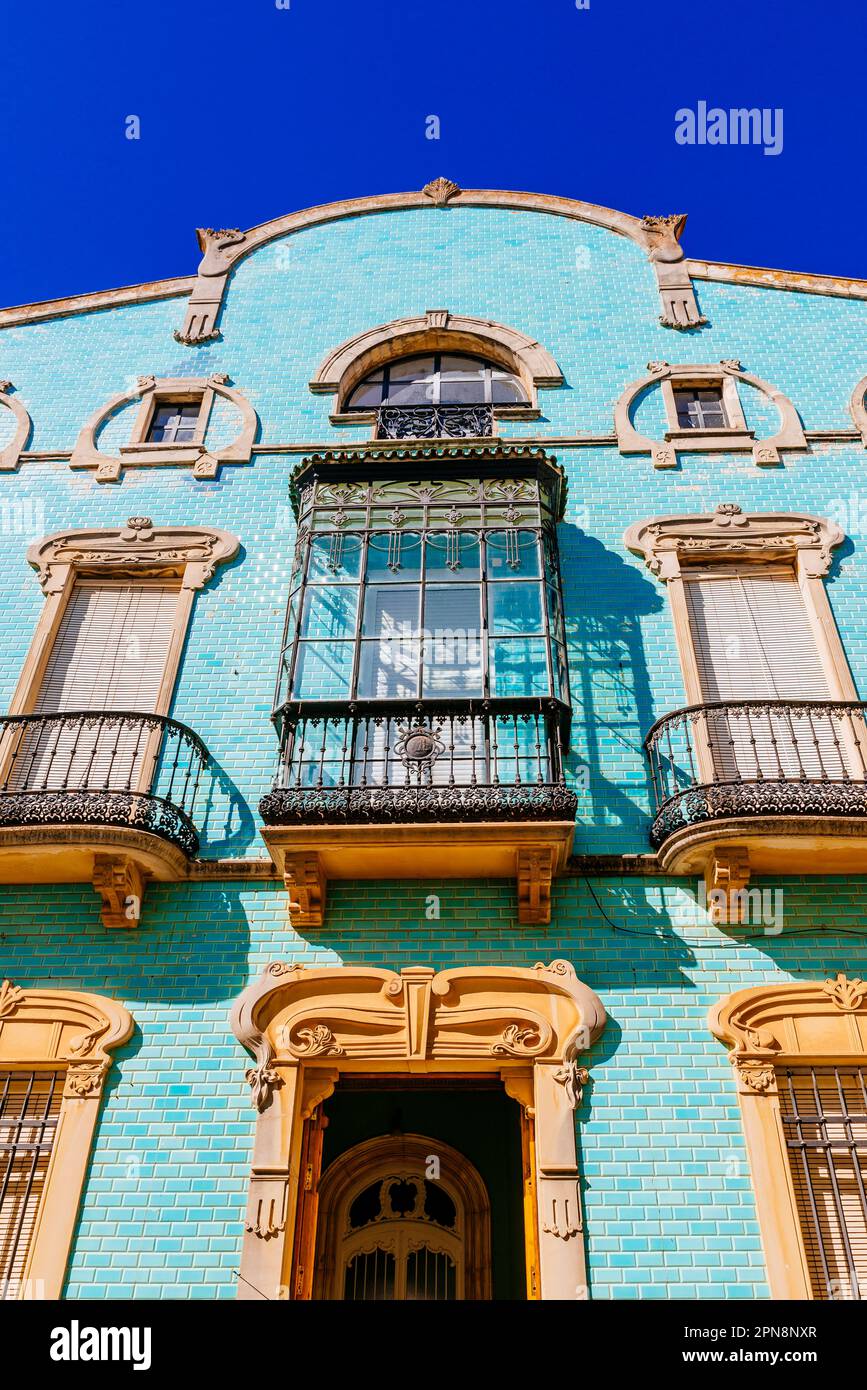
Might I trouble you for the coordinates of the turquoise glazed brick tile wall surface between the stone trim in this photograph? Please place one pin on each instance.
(669, 1204)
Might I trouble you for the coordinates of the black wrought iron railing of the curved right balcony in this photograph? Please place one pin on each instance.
(758, 758)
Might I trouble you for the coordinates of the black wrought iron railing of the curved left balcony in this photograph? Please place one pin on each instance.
(102, 769)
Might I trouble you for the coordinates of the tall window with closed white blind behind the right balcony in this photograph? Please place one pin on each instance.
(754, 641)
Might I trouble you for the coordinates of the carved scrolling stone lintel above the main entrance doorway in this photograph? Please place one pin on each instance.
(292, 1014)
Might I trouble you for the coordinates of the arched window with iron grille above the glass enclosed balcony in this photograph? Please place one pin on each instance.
(437, 395)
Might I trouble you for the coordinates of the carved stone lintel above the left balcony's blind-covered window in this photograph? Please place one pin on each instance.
(140, 548)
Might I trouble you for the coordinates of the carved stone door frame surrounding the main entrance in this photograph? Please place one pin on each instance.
(308, 1028)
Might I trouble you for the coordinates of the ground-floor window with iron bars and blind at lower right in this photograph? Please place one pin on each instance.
(825, 1118)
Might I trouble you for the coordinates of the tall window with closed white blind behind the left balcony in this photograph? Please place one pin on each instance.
(109, 655)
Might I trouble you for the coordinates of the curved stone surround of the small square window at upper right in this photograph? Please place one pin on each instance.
(665, 452)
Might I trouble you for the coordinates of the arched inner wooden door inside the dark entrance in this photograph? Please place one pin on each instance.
(391, 1231)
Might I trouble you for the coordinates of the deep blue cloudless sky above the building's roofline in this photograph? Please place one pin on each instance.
(249, 112)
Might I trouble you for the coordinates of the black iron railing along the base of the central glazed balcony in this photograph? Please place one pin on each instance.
(405, 761)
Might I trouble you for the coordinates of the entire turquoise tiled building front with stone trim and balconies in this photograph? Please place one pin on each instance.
(434, 780)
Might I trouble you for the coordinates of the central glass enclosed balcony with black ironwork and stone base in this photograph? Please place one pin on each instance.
(423, 671)
